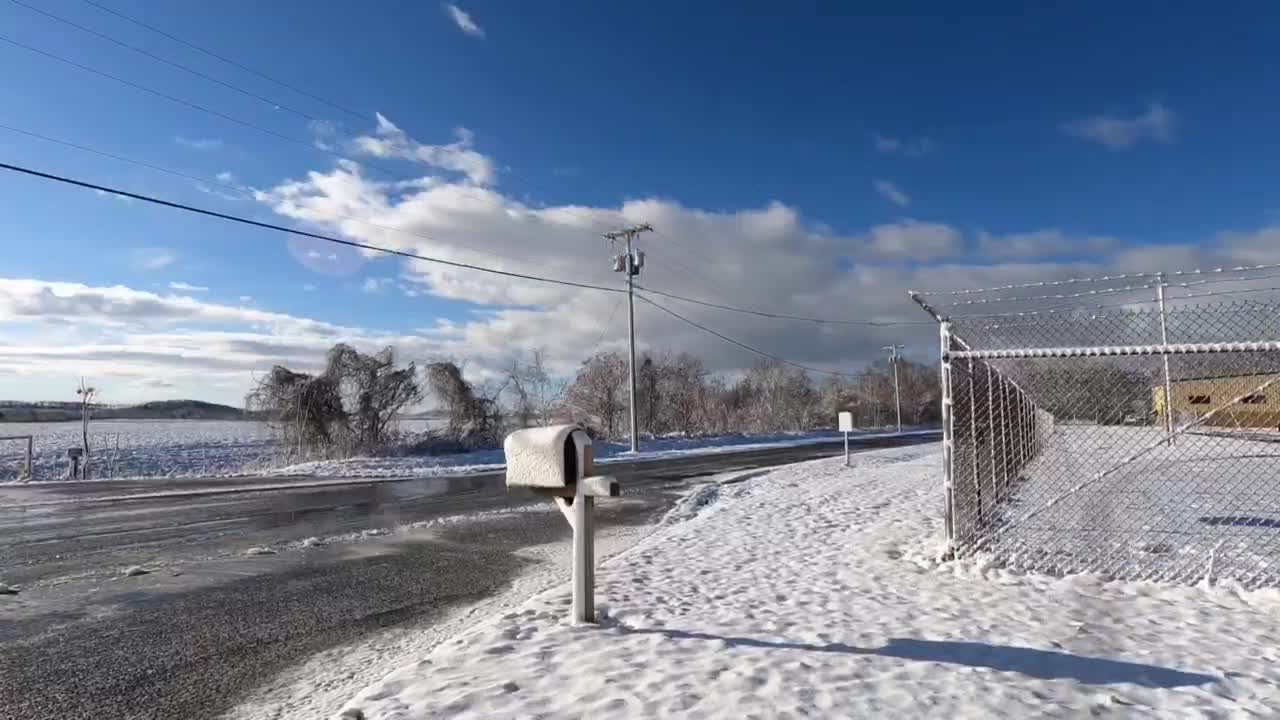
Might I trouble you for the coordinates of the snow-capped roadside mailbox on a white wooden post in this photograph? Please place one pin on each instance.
(559, 462)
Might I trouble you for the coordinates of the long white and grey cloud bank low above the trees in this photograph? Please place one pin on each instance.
(769, 258)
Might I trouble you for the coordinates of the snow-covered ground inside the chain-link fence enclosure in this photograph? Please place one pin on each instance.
(1169, 516)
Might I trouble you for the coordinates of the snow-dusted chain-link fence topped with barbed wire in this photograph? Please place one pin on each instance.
(1133, 435)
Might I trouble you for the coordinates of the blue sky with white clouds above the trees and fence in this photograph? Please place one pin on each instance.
(870, 147)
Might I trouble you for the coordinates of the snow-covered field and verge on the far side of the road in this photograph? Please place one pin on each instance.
(186, 449)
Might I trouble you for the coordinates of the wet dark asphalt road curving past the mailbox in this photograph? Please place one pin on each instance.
(209, 625)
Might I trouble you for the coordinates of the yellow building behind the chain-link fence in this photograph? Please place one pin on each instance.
(1200, 397)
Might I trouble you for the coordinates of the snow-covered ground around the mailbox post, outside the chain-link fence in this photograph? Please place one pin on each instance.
(813, 591)
